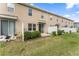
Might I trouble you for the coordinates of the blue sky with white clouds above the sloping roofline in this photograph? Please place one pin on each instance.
(69, 10)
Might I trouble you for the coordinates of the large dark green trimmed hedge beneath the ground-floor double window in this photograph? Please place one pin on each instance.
(31, 35)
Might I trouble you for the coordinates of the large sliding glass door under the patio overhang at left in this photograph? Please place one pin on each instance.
(7, 27)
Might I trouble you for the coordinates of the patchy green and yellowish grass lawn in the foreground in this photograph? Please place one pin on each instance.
(64, 45)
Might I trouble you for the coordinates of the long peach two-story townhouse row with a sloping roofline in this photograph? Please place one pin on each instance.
(12, 15)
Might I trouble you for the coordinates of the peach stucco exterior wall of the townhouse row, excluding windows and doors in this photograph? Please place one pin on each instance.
(22, 13)
